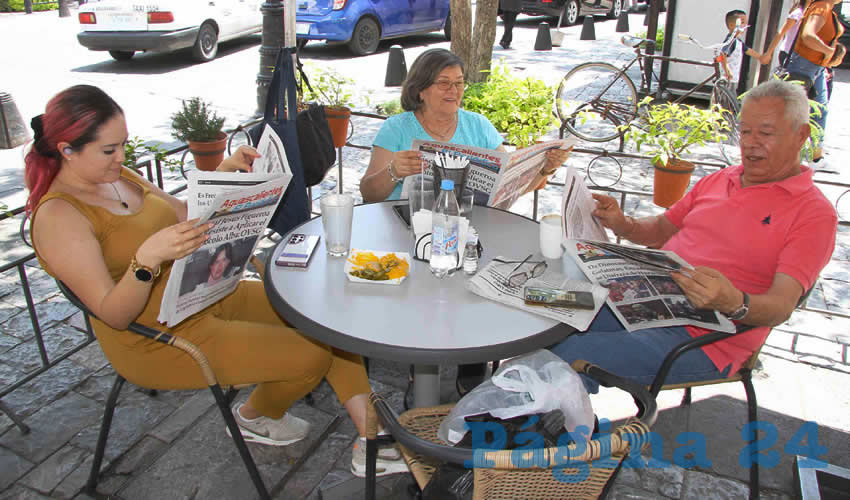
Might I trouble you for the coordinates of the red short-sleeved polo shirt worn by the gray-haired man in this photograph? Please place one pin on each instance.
(749, 235)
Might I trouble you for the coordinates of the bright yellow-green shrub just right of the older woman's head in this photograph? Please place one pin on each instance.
(520, 108)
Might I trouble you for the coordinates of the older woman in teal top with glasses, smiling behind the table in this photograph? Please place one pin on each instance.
(431, 97)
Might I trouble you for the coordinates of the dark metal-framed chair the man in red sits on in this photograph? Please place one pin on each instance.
(744, 375)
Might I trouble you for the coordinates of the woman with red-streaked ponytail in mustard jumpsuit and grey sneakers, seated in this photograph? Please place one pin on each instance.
(125, 233)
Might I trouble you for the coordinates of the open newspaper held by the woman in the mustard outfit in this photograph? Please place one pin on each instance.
(240, 206)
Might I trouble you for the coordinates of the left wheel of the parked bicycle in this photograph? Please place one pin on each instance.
(593, 98)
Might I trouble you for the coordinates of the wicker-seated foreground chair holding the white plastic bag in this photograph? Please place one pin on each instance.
(512, 476)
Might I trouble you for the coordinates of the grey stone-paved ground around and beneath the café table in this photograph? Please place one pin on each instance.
(174, 446)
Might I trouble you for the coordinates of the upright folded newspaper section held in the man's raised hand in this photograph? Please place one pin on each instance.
(577, 205)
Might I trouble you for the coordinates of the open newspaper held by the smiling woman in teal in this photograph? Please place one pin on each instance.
(501, 175)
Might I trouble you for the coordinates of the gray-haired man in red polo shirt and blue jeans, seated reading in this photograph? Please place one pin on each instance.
(758, 235)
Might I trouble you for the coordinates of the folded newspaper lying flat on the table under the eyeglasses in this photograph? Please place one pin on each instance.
(492, 282)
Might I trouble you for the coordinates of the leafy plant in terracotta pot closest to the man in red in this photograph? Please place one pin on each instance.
(670, 130)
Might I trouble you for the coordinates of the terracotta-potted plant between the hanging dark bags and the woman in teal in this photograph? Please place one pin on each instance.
(333, 91)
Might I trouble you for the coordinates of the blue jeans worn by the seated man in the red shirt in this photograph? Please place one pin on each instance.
(635, 356)
